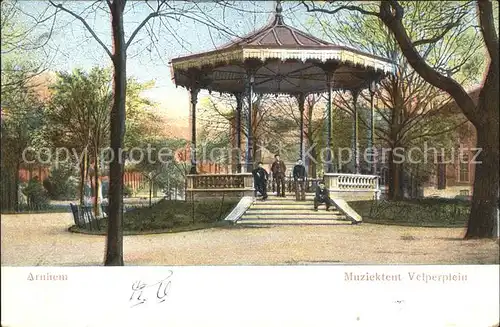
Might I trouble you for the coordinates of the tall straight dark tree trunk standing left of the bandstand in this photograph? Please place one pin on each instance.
(114, 241)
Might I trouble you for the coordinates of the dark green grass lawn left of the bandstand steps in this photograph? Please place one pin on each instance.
(171, 216)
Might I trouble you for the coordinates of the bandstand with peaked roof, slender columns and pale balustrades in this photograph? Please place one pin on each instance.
(282, 60)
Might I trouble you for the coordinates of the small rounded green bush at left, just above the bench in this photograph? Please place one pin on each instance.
(61, 184)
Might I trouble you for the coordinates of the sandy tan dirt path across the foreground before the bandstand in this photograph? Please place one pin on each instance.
(43, 239)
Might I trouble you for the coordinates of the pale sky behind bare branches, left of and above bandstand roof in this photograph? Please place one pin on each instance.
(72, 46)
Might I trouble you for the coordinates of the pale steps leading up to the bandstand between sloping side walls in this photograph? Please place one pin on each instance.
(288, 211)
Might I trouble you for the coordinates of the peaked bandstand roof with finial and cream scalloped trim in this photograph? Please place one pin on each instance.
(284, 59)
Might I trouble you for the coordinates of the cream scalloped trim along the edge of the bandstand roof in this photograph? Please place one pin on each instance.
(340, 54)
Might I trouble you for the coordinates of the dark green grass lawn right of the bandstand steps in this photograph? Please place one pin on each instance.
(422, 212)
